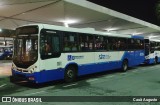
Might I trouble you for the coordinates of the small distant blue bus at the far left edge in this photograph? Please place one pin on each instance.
(6, 52)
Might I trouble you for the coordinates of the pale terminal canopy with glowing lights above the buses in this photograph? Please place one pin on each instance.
(72, 13)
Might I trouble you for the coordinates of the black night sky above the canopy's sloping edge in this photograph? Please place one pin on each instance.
(141, 9)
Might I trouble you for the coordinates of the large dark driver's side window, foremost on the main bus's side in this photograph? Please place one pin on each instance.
(50, 44)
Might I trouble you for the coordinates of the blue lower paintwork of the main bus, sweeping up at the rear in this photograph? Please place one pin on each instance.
(56, 74)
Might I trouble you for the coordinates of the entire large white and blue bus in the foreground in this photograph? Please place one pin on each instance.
(45, 53)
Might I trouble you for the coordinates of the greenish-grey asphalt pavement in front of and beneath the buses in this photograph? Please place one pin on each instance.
(140, 81)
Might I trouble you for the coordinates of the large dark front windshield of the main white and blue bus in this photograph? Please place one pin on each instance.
(25, 48)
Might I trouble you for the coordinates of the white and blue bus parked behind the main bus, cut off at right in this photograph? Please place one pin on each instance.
(152, 51)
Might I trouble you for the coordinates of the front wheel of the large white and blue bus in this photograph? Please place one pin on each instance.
(70, 74)
